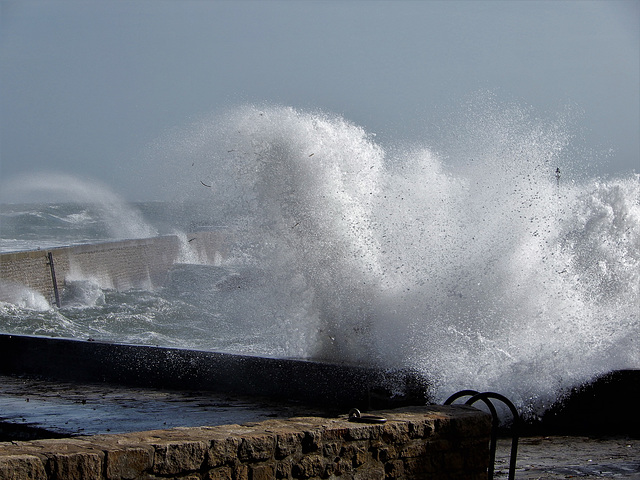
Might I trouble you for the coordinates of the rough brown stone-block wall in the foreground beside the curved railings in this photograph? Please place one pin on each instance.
(434, 442)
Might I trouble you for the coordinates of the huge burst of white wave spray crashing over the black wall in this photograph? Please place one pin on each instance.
(476, 264)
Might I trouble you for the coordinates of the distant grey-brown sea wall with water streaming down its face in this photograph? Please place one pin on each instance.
(119, 265)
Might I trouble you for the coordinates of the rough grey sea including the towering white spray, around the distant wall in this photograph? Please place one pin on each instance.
(488, 259)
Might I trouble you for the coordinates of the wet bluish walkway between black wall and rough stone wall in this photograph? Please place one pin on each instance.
(45, 408)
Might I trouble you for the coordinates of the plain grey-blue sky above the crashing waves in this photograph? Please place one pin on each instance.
(85, 86)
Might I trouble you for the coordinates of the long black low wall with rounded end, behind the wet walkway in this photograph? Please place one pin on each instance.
(331, 385)
